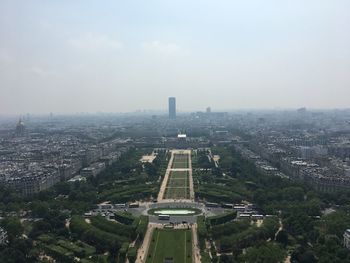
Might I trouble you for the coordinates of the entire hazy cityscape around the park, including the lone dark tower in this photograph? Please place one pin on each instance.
(302, 145)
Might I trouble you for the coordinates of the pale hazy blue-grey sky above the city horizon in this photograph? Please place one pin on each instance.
(111, 56)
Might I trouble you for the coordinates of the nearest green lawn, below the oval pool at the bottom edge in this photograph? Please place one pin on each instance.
(170, 244)
